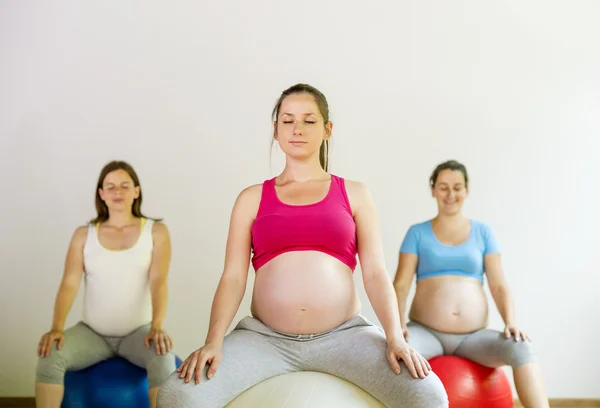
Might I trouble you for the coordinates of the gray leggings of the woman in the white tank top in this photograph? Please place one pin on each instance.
(84, 347)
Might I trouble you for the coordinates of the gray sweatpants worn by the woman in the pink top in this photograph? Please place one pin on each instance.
(356, 351)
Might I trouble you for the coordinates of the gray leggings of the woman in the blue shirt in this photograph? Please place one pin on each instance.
(486, 347)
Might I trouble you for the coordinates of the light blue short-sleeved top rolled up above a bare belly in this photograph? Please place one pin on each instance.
(436, 258)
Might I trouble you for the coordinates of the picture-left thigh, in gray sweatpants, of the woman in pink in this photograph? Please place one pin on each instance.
(248, 358)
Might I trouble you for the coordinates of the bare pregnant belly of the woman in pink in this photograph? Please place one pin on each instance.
(304, 292)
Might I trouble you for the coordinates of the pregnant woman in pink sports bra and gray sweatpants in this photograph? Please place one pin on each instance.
(302, 231)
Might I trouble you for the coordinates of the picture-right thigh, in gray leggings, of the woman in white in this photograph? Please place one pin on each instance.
(158, 366)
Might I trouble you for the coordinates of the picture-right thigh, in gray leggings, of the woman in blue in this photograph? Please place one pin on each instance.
(491, 349)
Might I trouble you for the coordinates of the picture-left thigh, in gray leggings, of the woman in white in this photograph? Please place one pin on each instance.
(82, 348)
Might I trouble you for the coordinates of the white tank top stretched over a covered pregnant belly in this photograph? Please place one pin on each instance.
(117, 293)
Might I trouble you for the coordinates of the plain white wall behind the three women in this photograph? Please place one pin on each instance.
(183, 90)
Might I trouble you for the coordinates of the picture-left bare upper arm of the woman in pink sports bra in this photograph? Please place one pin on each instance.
(239, 238)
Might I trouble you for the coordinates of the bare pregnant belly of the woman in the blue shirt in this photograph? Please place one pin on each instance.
(450, 304)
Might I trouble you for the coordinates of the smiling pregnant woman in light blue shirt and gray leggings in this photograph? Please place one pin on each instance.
(448, 316)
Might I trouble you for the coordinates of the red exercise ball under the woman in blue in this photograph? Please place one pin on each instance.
(471, 385)
